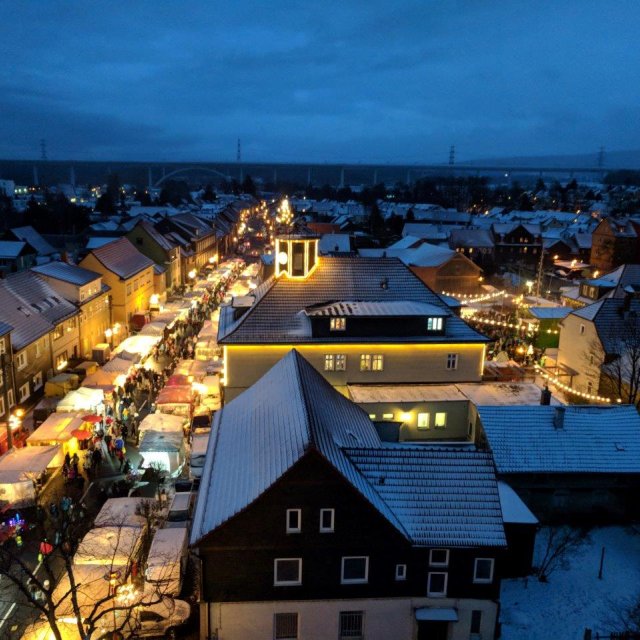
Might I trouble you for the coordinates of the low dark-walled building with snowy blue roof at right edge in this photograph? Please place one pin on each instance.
(567, 461)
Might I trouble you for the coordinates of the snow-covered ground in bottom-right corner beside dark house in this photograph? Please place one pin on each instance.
(574, 598)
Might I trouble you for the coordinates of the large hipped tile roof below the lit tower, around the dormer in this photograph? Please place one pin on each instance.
(277, 315)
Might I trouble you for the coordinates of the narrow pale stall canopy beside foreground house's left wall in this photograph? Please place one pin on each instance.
(167, 559)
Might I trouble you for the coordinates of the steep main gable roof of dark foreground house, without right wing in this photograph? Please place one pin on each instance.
(263, 432)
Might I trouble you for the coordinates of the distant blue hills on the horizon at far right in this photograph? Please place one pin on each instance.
(629, 159)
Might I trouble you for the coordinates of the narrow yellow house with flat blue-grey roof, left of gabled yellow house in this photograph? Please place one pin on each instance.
(85, 290)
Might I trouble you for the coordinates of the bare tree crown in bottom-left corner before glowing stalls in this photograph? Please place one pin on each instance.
(87, 579)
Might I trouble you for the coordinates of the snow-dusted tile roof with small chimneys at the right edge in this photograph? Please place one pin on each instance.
(592, 439)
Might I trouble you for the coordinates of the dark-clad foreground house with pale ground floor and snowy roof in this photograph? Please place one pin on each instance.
(336, 533)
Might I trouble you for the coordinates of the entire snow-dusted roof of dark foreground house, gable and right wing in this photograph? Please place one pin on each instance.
(431, 497)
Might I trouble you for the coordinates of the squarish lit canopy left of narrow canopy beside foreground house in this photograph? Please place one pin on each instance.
(113, 546)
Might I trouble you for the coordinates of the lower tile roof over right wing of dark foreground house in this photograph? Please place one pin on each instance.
(441, 497)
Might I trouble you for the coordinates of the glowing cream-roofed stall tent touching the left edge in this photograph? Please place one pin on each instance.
(21, 468)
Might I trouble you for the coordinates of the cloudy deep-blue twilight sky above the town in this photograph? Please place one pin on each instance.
(336, 80)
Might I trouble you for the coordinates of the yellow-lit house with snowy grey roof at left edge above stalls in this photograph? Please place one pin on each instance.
(45, 332)
